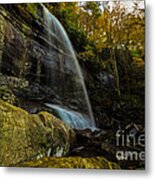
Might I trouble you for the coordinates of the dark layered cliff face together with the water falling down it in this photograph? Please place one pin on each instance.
(35, 47)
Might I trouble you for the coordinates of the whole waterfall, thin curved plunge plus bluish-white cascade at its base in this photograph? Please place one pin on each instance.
(65, 76)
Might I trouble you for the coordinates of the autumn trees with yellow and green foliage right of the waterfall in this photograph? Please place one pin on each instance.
(100, 30)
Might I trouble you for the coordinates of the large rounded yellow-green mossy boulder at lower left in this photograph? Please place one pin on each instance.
(26, 137)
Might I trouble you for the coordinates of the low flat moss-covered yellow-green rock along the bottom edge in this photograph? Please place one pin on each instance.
(72, 162)
